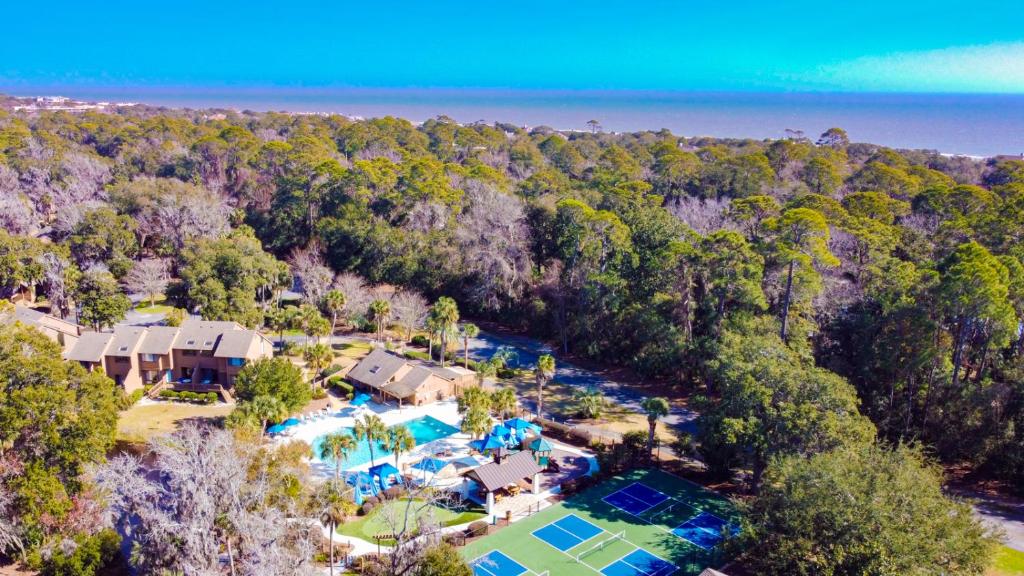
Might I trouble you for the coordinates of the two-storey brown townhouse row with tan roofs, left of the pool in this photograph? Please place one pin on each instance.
(202, 355)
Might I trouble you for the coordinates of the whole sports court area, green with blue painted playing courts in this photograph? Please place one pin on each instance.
(647, 523)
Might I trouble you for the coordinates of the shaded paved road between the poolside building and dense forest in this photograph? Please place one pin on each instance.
(529, 350)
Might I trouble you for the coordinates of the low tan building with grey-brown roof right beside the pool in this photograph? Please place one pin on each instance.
(391, 377)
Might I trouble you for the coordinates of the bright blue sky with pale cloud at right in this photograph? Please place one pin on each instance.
(869, 46)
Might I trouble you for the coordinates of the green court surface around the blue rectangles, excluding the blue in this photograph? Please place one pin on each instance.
(519, 543)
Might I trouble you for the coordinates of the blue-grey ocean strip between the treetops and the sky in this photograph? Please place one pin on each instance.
(964, 125)
